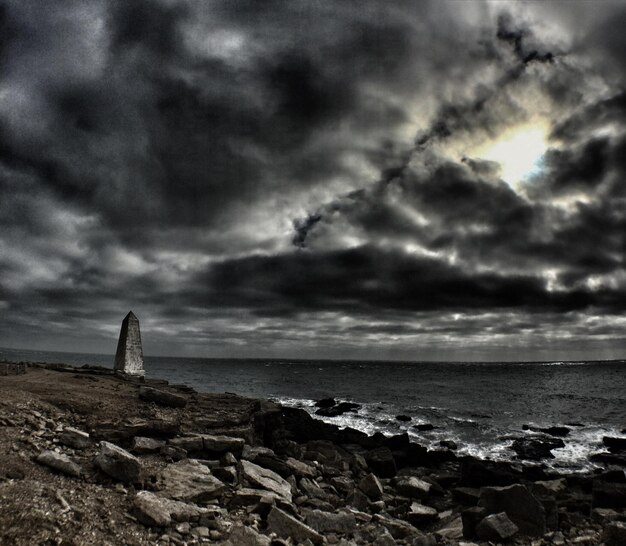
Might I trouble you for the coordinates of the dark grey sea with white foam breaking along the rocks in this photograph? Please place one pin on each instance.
(481, 406)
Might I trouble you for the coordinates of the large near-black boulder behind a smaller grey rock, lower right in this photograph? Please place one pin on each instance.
(520, 506)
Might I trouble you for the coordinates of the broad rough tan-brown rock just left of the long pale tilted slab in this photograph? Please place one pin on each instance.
(189, 481)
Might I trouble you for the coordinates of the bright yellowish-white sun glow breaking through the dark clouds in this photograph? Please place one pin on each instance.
(518, 151)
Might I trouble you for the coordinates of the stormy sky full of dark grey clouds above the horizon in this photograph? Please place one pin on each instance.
(412, 180)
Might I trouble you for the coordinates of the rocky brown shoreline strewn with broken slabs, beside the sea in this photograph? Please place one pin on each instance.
(89, 457)
